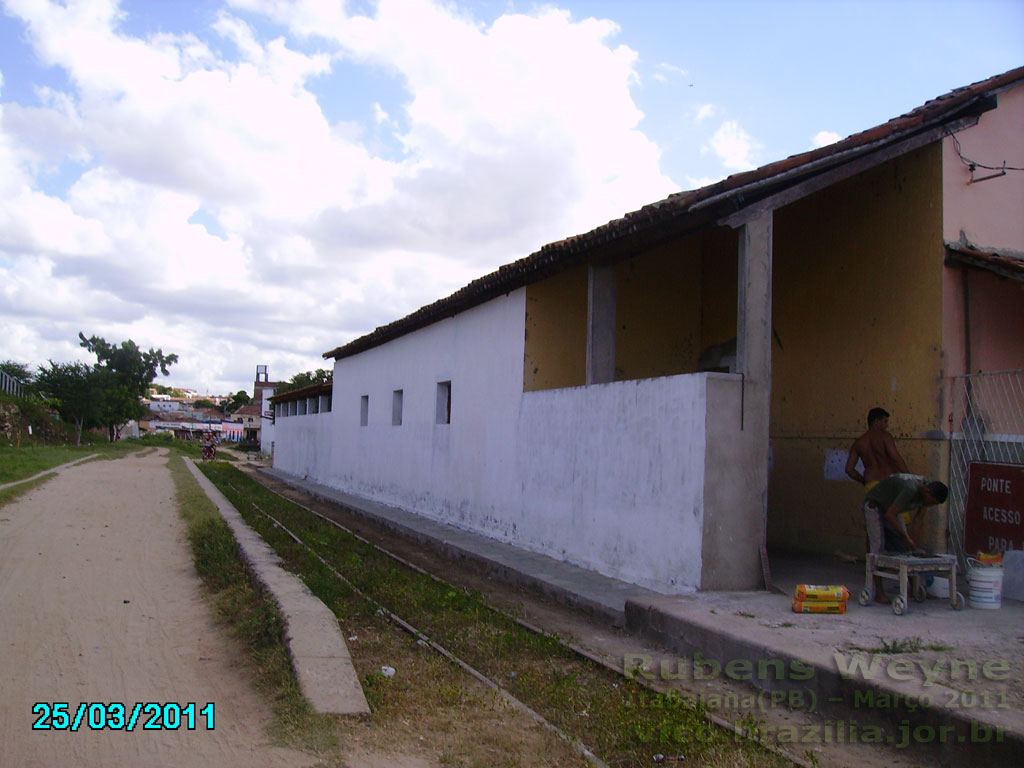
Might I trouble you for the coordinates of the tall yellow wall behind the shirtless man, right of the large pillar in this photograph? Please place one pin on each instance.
(858, 295)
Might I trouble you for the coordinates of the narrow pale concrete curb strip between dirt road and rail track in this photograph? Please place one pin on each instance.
(319, 653)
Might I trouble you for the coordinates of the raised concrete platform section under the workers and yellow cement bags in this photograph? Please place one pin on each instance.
(950, 681)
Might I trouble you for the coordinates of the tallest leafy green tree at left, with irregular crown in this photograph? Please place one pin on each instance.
(125, 373)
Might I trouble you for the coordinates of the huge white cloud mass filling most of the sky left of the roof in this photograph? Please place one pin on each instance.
(516, 135)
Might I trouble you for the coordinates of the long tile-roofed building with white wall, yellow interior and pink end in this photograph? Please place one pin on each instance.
(661, 399)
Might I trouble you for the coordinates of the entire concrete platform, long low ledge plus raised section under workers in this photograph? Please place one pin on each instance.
(955, 692)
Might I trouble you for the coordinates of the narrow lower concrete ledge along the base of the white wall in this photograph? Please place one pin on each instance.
(601, 596)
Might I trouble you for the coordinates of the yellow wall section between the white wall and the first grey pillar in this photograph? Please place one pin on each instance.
(557, 332)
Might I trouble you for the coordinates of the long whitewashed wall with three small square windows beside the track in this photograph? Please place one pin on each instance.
(610, 477)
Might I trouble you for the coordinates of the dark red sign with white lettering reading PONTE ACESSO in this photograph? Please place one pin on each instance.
(994, 521)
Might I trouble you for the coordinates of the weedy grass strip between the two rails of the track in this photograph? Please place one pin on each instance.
(622, 722)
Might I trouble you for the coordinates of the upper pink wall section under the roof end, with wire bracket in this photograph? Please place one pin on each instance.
(992, 214)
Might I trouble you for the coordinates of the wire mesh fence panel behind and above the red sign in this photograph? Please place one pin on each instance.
(988, 426)
